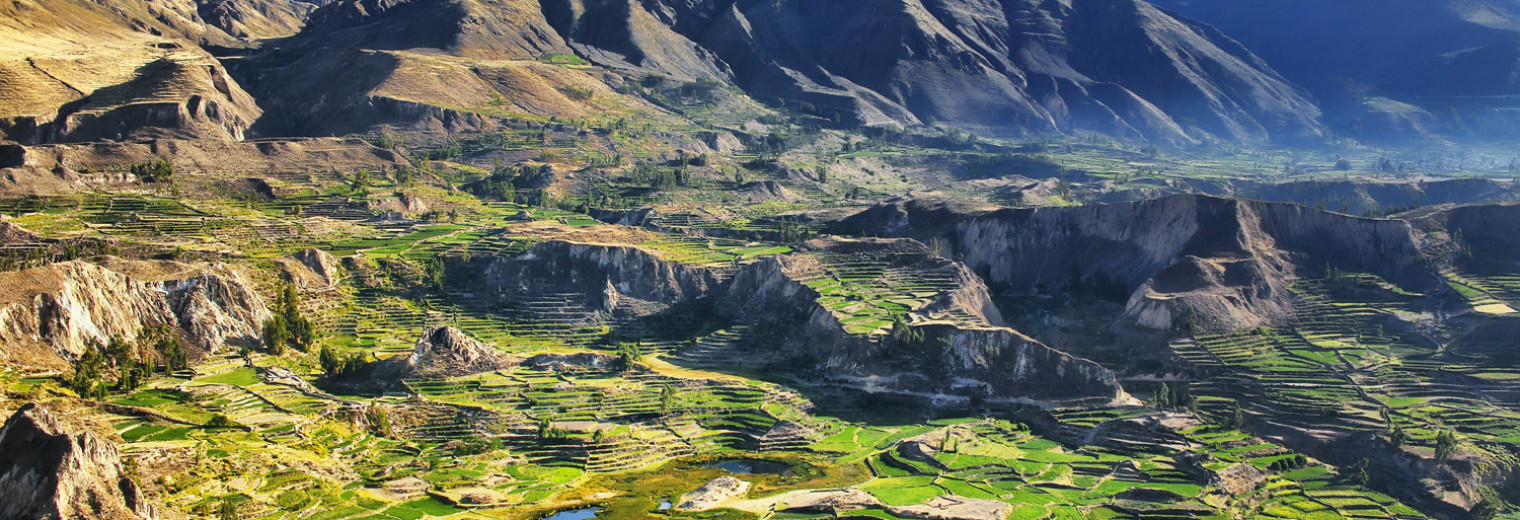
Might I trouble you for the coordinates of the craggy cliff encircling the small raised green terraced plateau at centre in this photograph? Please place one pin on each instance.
(961, 349)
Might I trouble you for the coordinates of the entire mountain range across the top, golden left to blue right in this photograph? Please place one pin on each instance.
(1174, 72)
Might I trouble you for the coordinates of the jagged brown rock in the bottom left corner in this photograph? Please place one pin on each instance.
(51, 474)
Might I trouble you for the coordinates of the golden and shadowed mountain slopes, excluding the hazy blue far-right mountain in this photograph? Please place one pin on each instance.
(1004, 68)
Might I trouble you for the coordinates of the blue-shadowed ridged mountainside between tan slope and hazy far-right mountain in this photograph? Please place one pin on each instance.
(1012, 65)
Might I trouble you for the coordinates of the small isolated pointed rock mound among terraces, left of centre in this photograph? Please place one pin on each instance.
(443, 352)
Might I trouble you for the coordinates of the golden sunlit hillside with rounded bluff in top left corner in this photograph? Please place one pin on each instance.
(119, 71)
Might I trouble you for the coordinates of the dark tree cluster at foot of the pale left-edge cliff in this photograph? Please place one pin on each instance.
(135, 364)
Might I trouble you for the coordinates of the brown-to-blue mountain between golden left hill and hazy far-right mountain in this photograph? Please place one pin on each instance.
(1121, 68)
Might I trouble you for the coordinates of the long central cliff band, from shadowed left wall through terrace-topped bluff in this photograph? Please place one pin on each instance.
(960, 350)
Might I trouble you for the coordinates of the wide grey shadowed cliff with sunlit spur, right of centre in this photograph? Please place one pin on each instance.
(1223, 264)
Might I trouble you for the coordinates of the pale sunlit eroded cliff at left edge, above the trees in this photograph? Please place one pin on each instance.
(51, 315)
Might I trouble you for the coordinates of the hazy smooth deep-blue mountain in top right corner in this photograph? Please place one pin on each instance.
(1385, 69)
